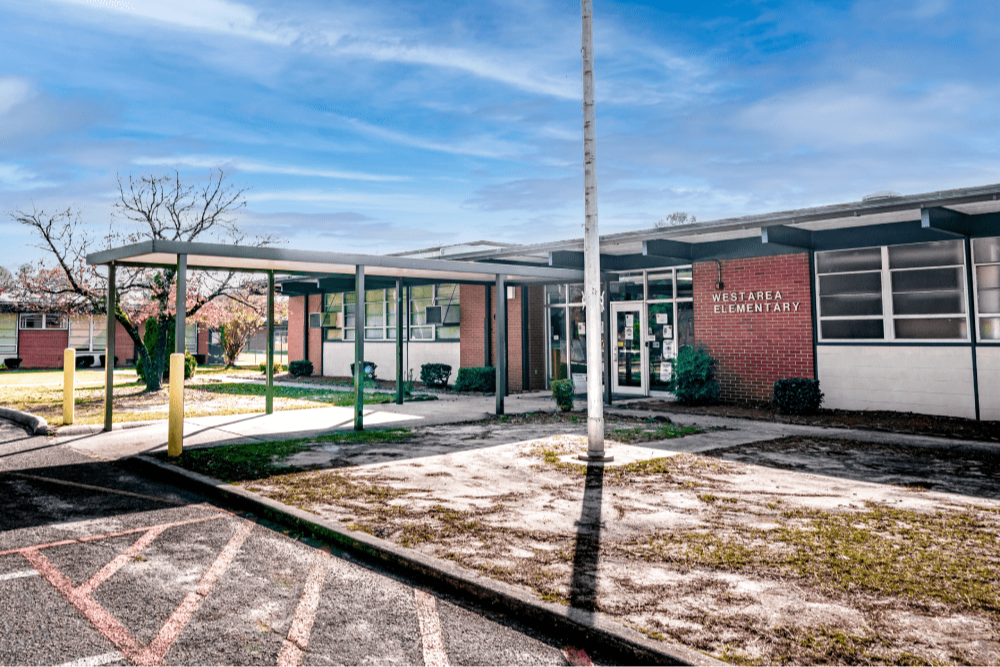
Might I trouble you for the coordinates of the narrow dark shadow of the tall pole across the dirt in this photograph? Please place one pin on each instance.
(583, 585)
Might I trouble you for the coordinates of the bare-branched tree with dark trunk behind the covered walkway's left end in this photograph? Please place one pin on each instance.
(150, 207)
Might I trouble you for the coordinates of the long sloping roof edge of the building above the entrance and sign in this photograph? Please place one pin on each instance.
(742, 223)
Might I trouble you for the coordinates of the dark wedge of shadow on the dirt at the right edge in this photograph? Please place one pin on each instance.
(968, 471)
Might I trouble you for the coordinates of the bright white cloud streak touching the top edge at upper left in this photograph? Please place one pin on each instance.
(209, 15)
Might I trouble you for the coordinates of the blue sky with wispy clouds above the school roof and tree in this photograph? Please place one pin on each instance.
(386, 126)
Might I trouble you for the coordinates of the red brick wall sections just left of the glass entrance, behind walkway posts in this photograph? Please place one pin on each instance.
(473, 333)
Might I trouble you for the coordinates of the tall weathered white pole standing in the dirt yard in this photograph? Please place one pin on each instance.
(591, 251)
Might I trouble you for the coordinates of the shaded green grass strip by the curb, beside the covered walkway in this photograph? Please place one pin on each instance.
(253, 461)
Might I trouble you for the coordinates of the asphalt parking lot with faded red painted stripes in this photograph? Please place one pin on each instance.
(99, 566)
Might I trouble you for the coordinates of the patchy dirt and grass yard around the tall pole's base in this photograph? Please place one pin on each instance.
(792, 551)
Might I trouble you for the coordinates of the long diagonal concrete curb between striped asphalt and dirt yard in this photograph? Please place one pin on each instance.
(577, 626)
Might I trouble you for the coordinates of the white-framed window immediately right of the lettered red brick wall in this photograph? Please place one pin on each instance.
(904, 292)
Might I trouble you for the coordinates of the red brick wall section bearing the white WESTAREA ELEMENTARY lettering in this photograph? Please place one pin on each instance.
(753, 345)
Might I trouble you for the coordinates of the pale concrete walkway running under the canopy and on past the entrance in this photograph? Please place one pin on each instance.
(290, 424)
